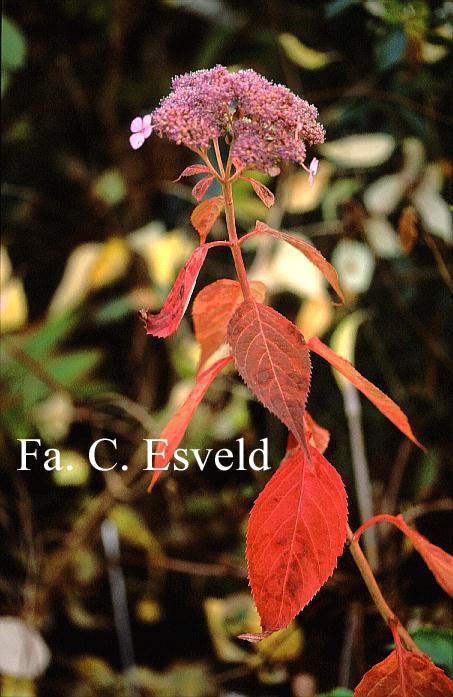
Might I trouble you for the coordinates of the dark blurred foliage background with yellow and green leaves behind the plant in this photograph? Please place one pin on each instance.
(103, 589)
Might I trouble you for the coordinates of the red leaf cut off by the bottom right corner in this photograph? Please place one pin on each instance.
(421, 677)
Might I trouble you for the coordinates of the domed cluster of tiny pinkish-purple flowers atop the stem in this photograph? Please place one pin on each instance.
(266, 123)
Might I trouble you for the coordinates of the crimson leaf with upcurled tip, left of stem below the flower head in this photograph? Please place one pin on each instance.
(168, 319)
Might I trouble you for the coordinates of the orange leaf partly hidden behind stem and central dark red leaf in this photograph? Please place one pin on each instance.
(212, 310)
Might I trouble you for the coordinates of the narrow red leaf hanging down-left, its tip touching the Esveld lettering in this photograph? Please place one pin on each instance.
(177, 426)
